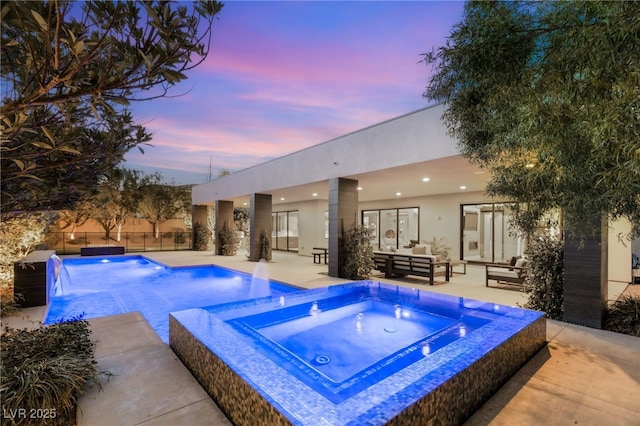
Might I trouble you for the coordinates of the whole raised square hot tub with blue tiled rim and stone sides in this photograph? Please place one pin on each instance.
(360, 353)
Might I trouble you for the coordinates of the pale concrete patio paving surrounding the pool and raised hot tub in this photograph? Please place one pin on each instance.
(583, 376)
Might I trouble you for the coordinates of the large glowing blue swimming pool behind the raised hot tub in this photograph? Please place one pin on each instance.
(102, 286)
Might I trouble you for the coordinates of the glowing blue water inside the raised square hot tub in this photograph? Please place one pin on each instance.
(341, 344)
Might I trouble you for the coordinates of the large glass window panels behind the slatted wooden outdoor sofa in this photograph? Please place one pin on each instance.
(392, 227)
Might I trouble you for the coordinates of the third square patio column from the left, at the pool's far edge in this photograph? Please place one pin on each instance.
(260, 224)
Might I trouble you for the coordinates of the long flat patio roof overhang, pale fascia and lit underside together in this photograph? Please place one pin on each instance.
(387, 158)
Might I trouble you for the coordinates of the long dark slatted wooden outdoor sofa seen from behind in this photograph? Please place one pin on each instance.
(403, 265)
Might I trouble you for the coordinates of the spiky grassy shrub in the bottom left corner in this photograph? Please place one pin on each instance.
(44, 371)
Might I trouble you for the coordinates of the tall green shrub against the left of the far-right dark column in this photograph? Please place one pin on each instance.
(545, 277)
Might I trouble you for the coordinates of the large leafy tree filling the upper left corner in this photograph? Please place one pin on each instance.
(69, 71)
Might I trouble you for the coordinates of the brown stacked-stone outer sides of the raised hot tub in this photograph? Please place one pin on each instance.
(450, 403)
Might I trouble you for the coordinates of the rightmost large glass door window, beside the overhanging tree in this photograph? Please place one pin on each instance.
(486, 235)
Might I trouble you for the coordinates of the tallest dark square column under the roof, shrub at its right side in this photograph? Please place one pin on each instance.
(343, 212)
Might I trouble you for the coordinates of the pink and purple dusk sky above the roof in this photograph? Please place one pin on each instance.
(282, 76)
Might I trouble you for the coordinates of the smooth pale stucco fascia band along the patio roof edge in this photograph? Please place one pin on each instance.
(412, 138)
